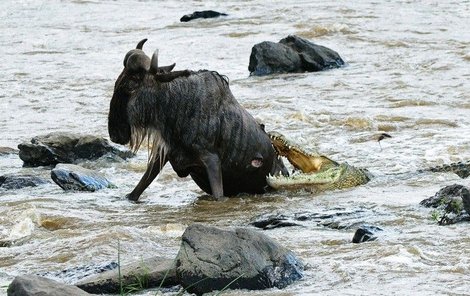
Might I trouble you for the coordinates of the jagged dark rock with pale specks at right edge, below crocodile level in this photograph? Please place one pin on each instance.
(452, 204)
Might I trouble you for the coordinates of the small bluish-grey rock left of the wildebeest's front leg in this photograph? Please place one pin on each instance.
(74, 177)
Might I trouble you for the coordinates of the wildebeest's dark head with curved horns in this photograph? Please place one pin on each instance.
(136, 66)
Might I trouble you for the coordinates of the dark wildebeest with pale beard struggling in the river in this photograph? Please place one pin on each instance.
(192, 120)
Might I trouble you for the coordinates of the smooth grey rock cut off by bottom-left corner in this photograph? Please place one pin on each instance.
(31, 285)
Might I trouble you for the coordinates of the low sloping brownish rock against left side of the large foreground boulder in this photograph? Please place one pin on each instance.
(148, 273)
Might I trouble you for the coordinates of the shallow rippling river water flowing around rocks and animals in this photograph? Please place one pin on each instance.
(407, 74)
